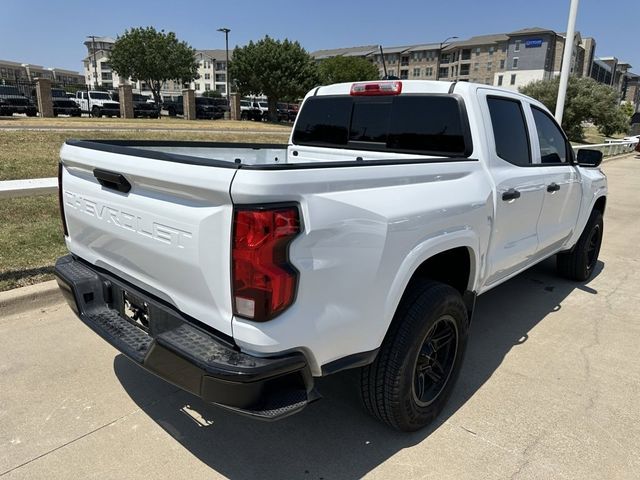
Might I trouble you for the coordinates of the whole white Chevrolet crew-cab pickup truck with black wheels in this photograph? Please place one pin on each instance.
(241, 272)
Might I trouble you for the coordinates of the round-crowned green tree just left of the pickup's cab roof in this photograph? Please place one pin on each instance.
(281, 70)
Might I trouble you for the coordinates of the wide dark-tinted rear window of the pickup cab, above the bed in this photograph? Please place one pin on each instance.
(423, 124)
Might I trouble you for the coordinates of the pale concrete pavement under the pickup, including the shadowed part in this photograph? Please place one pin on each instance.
(550, 388)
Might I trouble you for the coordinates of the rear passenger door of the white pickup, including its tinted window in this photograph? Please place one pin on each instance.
(519, 187)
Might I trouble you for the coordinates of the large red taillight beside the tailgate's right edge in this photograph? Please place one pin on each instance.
(264, 281)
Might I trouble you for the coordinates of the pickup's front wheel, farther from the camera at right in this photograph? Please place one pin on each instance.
(579, 263)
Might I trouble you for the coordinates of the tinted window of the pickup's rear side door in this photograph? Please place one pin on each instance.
(510, 130)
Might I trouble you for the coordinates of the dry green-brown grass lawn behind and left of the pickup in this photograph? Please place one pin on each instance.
(31, 235)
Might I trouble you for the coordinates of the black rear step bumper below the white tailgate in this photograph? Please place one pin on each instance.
(177, 349)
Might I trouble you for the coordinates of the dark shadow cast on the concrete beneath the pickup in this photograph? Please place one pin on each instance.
(335, 437)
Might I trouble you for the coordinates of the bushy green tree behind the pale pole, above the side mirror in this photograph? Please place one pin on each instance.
(587, 100)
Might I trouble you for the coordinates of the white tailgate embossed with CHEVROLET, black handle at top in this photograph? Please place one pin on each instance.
(169, 234)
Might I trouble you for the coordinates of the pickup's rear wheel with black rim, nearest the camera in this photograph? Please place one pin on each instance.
(414, 373)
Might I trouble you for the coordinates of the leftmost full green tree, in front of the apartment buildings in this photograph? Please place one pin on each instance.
(153, 57)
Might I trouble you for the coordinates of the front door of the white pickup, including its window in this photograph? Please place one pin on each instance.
(563, 191)
